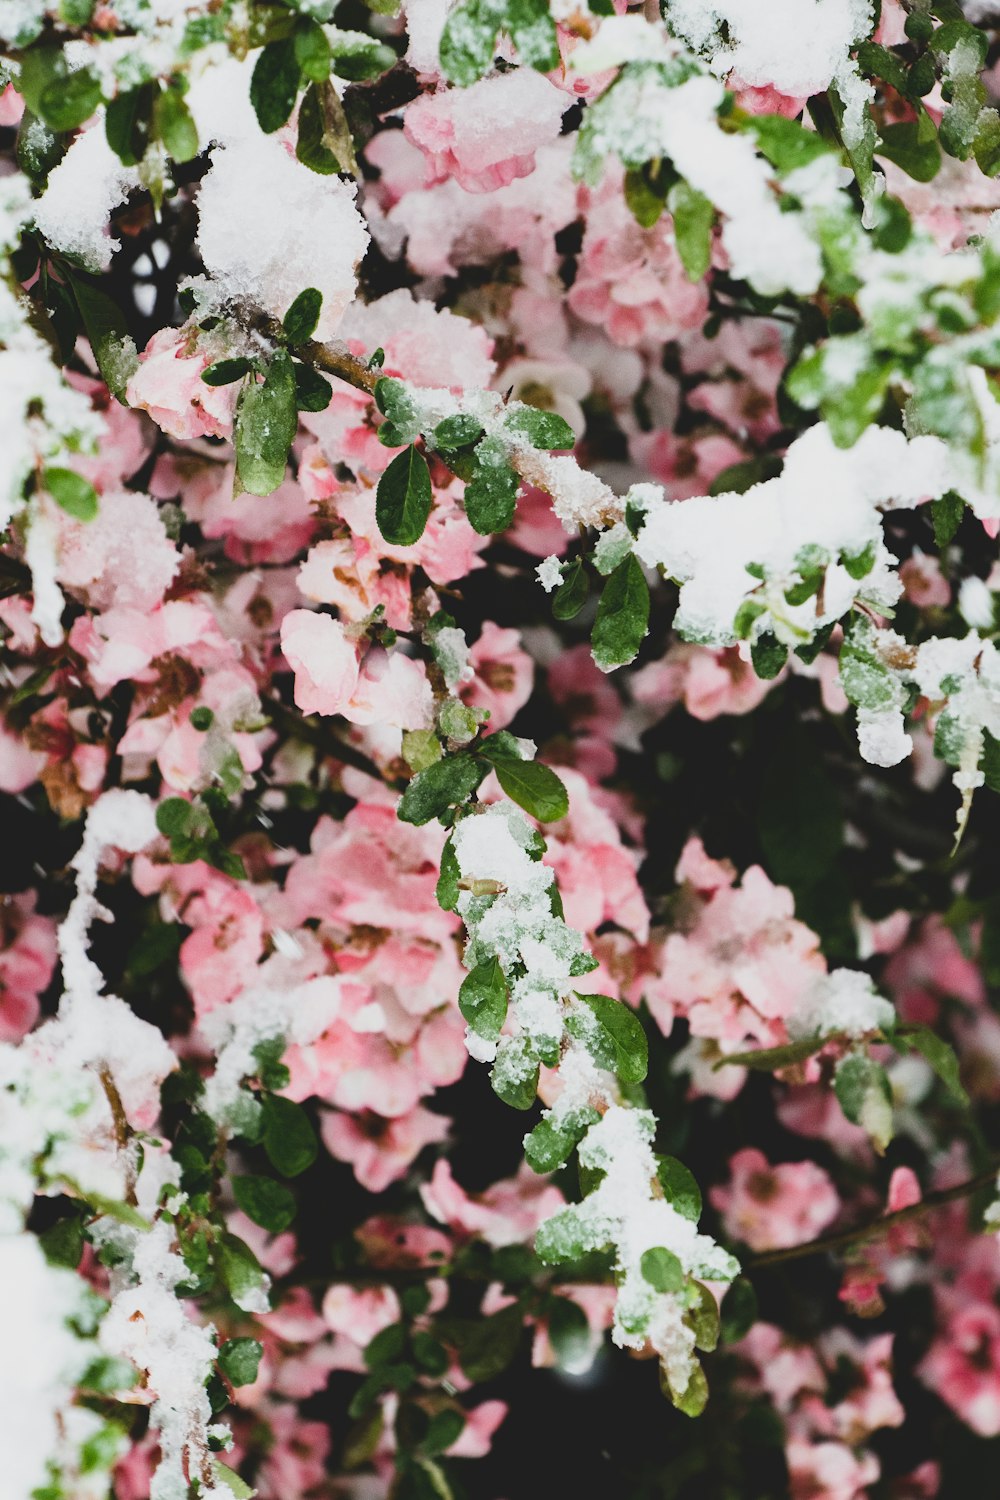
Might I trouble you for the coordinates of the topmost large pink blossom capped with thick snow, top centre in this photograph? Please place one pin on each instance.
(487, 136)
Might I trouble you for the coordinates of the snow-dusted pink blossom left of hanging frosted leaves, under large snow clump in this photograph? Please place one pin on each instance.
(169, 385)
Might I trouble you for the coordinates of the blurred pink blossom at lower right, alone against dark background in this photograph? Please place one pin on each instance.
(770, 1208)
